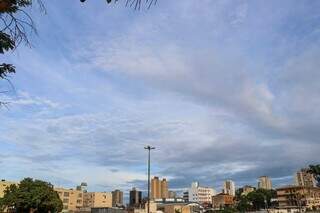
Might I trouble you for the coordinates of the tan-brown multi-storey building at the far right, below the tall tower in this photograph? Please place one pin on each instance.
(300, 197)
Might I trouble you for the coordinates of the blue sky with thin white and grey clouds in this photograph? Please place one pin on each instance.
(225, 89)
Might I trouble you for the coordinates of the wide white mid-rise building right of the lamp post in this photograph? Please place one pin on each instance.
(199, 194)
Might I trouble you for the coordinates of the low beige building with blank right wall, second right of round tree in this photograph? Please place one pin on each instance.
(97, 200)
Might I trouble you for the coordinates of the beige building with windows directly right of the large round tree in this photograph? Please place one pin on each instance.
(72, 199)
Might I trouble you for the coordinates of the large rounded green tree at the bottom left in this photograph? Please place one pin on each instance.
(31, 196)
